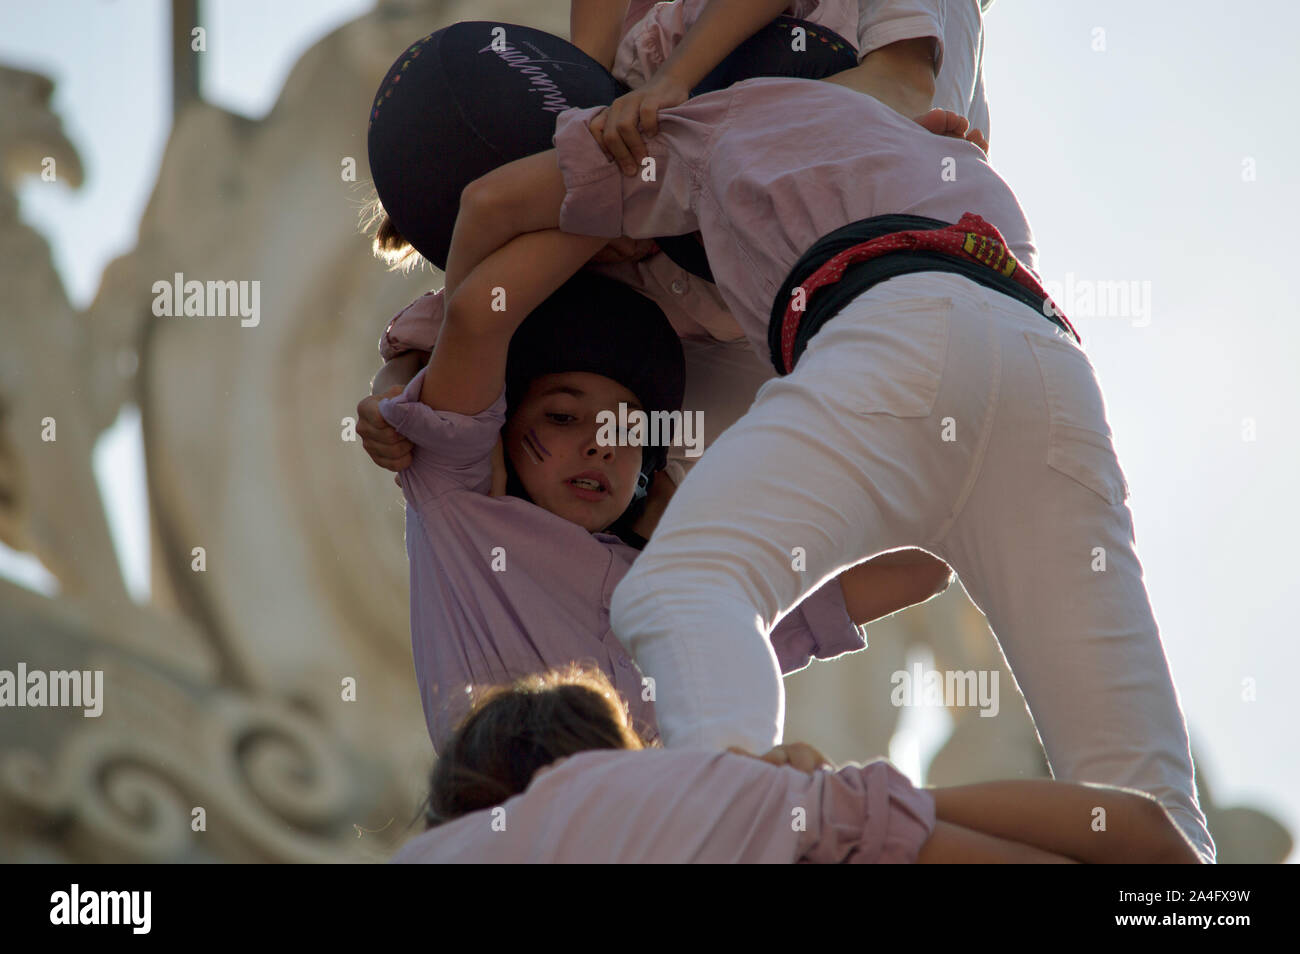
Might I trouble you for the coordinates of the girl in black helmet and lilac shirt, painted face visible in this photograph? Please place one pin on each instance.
(512, 584)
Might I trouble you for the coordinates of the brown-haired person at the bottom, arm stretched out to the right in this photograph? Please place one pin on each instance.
(549, 771)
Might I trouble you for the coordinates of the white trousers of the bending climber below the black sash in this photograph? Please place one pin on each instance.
(930, 413)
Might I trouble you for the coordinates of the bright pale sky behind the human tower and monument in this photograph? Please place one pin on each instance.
(1149, 148)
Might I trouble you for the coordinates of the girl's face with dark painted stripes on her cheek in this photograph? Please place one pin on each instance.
(552, 443)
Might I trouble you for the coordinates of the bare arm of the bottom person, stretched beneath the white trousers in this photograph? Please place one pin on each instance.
(1064, 818)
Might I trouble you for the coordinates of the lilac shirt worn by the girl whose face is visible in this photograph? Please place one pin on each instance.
(502, 588)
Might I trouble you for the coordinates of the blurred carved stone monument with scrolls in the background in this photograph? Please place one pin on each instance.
(262, 706)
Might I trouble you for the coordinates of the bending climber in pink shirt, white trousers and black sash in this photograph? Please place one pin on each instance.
(931, 410)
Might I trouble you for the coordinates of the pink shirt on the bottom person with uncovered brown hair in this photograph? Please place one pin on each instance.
(679, 805)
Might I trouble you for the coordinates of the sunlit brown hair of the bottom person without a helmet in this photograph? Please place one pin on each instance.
(519, 728)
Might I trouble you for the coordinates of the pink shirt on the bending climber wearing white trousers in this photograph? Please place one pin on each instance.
(768, 167)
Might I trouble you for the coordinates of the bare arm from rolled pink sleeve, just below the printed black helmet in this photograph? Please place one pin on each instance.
(518, 198)
